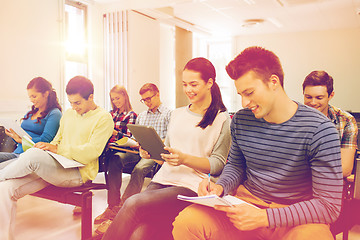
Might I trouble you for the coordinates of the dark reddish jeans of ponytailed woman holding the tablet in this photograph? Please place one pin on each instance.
(149, 214)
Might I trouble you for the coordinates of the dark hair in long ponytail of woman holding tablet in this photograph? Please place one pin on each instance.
(207, 71)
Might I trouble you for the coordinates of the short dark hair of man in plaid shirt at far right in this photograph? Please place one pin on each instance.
(319, 78)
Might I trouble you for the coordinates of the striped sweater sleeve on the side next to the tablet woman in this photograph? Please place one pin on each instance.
(234, 171)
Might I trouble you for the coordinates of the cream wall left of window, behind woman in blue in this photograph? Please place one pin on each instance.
(30, 46)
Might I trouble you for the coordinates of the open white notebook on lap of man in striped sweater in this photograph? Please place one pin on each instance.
(212, 200)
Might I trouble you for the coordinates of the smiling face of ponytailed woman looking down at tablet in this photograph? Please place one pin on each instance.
(195, 88)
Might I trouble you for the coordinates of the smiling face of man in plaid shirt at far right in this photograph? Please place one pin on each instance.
(317, 97)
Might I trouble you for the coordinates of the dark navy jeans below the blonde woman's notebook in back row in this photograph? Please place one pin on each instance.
(117, 162)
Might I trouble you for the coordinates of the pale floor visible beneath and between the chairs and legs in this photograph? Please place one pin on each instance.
(41, 219)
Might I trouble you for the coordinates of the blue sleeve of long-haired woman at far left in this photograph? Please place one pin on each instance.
(51, 127)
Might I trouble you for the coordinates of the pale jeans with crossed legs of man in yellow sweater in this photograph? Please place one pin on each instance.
(32, 171)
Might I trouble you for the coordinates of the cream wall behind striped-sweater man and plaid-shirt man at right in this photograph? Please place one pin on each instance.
(335, 51)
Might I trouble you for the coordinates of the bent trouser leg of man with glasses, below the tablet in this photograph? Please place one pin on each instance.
(136, 182)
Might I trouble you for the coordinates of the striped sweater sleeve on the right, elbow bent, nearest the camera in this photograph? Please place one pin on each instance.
(325, 164)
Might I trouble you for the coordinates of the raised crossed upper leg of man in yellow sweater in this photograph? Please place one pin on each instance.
(39, 162)
